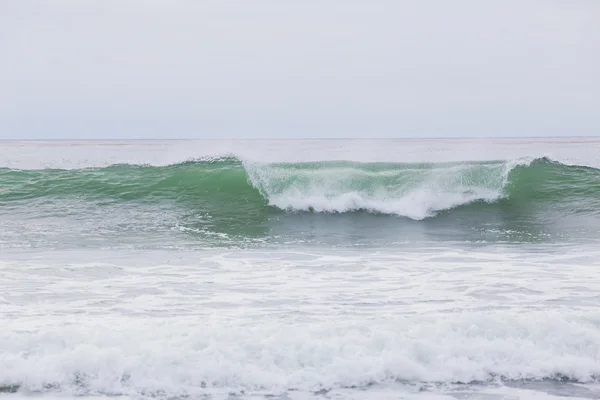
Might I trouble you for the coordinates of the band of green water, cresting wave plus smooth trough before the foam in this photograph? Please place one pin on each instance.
(227, 202)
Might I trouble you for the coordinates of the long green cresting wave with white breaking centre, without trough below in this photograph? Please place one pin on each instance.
(416, 191)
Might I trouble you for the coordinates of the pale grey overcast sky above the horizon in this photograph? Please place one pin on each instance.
(285, 69)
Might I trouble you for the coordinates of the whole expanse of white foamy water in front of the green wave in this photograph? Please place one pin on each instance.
(271, 322)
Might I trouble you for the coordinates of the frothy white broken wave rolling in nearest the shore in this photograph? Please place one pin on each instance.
(187, 357)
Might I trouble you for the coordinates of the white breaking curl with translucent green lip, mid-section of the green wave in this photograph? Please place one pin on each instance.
(416, 193)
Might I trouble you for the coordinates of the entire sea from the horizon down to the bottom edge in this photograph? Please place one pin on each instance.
(300, 269)
